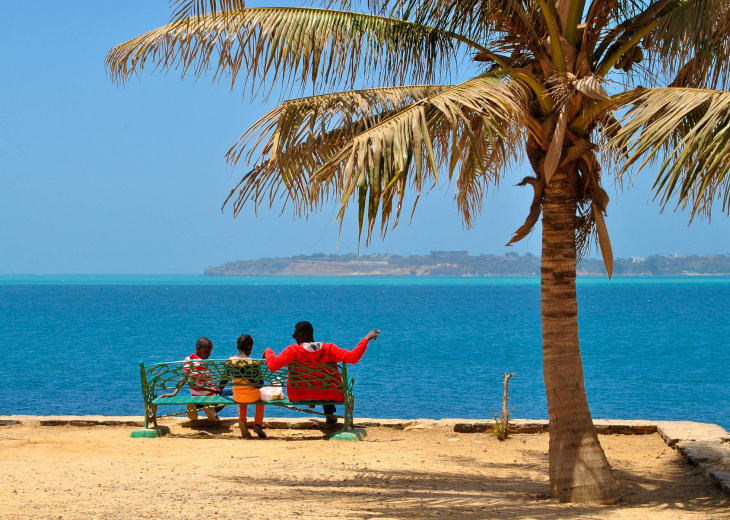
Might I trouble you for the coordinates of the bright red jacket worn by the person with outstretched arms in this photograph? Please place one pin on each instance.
(309, 354)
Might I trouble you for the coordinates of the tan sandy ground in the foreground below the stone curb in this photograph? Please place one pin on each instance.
(73, 472)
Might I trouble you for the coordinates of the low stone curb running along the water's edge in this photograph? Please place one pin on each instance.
(706, 446)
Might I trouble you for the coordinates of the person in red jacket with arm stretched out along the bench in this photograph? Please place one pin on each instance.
(309, 352)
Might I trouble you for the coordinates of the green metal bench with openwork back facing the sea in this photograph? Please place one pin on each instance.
(161, 378)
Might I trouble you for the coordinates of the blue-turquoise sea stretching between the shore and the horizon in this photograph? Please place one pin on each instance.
(653, 347)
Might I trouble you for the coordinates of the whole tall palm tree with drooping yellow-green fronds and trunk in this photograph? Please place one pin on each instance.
(538, 86)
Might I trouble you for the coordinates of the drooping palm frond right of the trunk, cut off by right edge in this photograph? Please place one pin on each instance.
(689, 130)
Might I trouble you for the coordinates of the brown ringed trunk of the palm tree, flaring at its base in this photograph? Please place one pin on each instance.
(579, 471)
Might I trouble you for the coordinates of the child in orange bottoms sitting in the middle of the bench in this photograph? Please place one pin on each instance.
(247, 394)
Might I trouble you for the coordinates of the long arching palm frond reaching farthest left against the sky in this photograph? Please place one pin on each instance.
(288, 45)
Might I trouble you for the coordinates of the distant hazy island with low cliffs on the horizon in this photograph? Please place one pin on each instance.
(461, 263)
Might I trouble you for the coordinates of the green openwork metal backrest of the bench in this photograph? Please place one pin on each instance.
(158, 377)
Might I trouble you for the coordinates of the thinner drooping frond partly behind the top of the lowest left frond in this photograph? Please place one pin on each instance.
(299, 136)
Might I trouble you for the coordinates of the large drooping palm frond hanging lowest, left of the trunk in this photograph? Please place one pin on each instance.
(471, 130)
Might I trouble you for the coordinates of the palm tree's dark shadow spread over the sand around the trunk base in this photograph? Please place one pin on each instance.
(410, 493)
